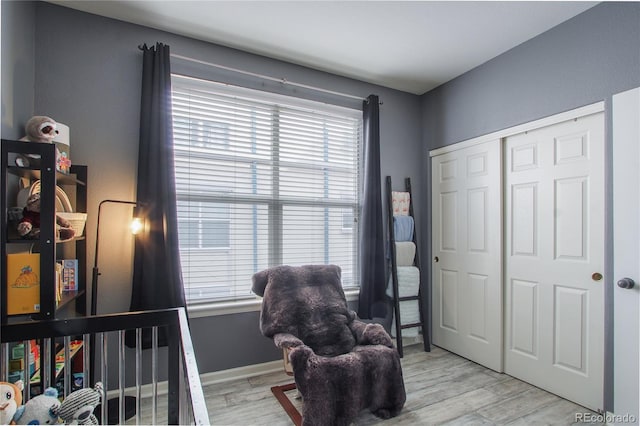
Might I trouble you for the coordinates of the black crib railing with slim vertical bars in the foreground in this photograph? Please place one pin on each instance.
(163, 381)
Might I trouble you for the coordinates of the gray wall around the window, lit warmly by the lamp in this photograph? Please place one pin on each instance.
(86, 74)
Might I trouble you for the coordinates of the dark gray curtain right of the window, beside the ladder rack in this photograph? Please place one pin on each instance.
(372, 302)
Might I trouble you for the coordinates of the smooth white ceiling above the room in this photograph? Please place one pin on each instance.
(411, 46)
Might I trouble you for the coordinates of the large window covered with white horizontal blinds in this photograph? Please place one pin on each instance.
(261, 180)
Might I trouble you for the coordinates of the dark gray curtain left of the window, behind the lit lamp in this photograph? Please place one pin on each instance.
(157, 275)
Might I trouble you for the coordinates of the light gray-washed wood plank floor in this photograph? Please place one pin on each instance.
(442, 389)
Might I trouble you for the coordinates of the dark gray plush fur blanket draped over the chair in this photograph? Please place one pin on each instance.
(341, 365)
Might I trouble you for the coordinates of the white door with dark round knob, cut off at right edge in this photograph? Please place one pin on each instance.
(626, 237)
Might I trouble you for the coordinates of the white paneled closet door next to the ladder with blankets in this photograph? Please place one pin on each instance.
(467, 249)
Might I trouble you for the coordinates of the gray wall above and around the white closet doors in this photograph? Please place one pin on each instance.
(584, 60)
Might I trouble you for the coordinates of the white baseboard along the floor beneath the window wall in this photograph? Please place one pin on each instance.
(211, 378)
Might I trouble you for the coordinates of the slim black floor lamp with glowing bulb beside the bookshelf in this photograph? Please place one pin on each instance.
(113, 405)
